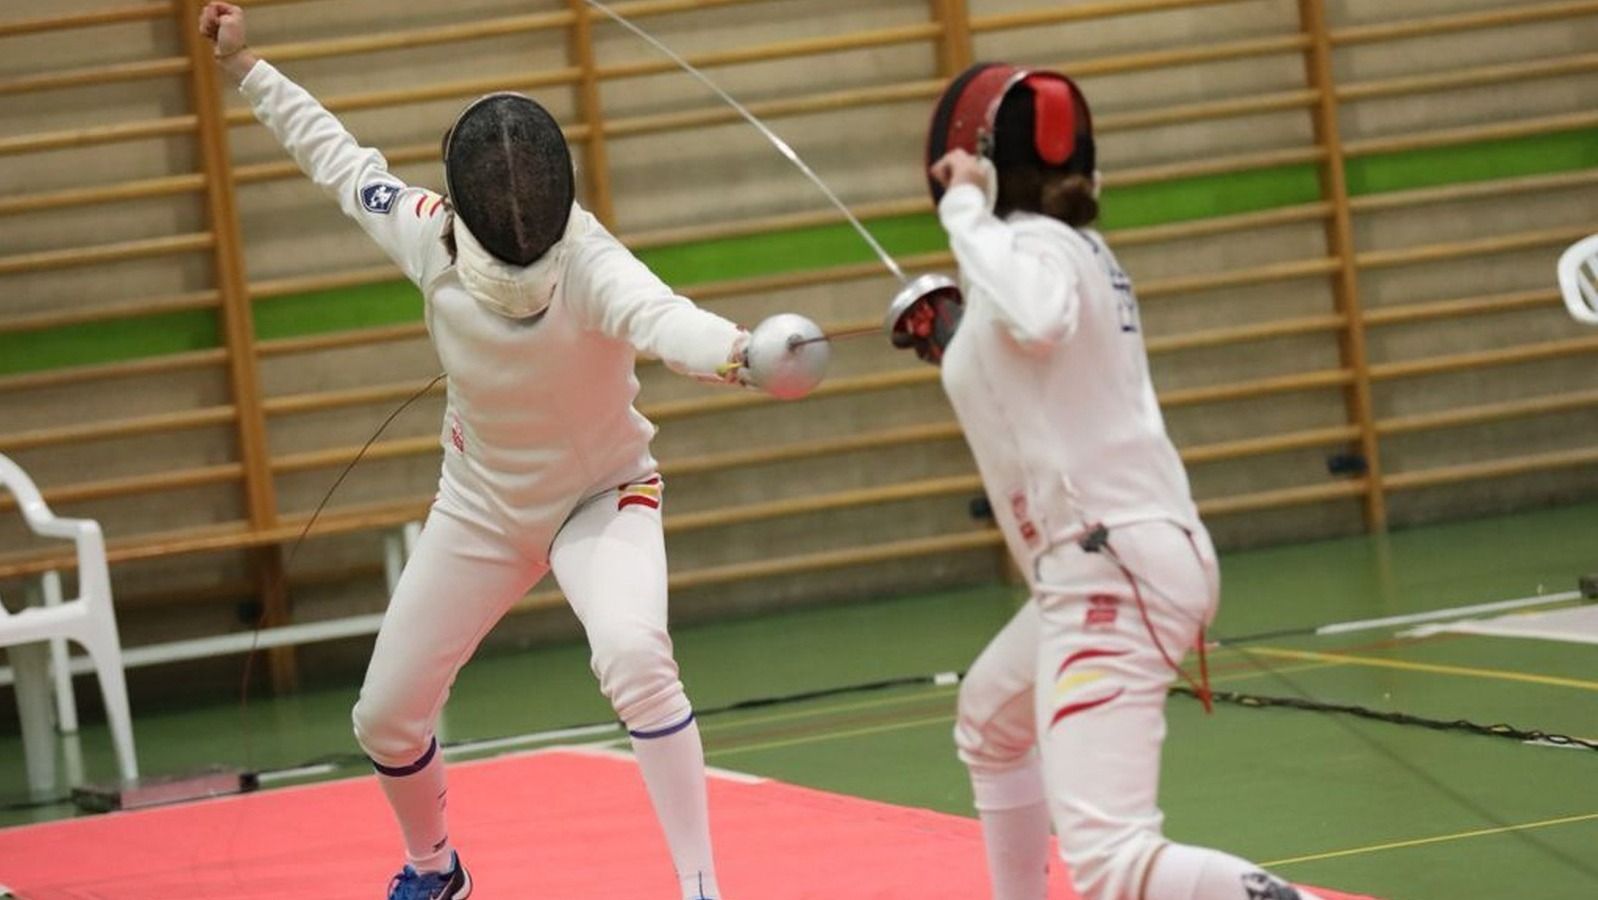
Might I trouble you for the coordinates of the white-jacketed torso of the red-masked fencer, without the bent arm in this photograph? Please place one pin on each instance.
(1070, 436)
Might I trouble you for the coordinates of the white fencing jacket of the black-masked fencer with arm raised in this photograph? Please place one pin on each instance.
(541, 410)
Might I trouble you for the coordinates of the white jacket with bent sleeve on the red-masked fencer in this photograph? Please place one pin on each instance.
(1051, 381)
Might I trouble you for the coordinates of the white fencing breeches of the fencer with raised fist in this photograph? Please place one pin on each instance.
(610, 560)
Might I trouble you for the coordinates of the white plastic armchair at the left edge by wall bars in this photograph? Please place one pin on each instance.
(89, 619)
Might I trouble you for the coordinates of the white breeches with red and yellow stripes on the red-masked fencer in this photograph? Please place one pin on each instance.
(1078, 677)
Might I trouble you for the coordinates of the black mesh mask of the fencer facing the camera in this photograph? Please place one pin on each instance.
(509, 173)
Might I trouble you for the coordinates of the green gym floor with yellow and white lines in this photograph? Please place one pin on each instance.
(1397, 811)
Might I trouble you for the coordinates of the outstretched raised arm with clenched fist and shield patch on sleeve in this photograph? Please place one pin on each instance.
(405, 221)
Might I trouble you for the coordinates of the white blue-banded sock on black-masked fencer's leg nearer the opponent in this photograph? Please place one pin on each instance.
(672, 760)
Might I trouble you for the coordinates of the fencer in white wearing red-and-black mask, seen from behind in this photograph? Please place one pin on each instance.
(1062, 719)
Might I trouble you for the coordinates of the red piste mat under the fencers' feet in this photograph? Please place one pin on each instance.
(551, 824)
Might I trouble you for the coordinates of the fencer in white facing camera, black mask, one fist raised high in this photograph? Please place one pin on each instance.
(547, 469)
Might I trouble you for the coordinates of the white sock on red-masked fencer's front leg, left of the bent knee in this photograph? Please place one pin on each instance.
(1016, 829)
